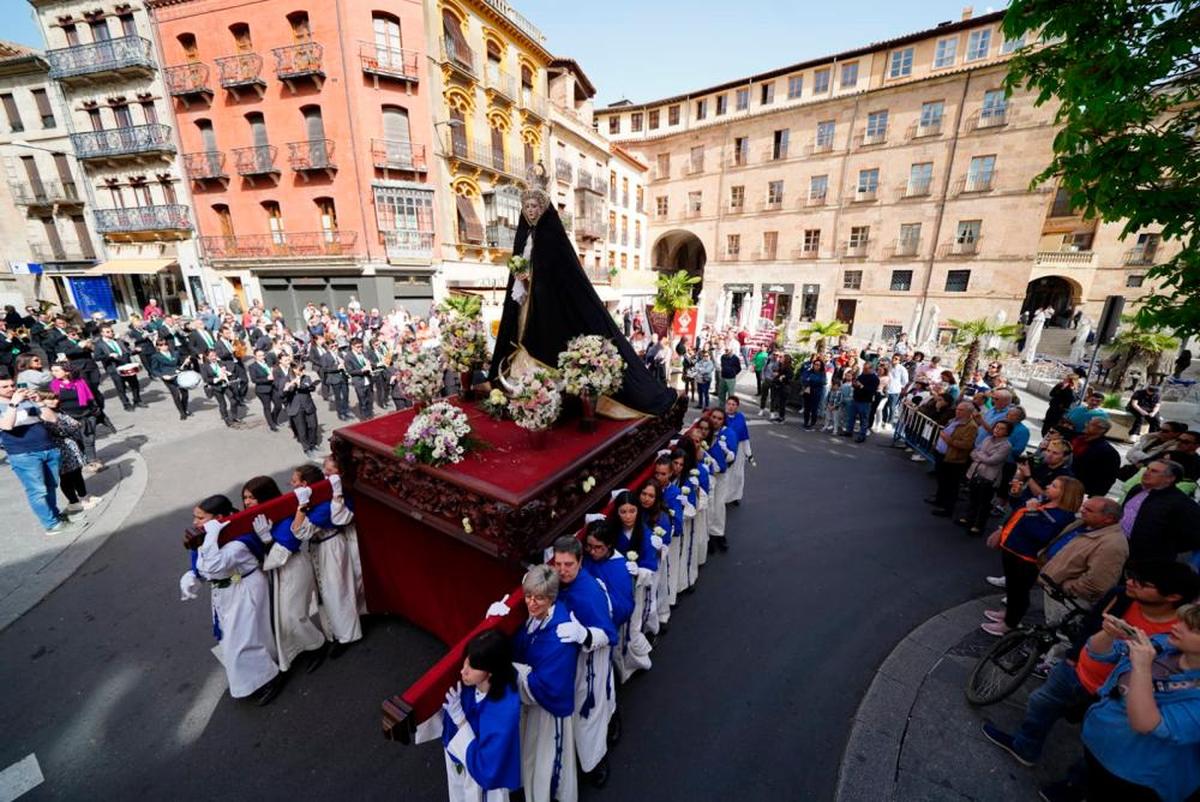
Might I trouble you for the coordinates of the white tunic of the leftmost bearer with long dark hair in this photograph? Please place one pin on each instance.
(243, 612)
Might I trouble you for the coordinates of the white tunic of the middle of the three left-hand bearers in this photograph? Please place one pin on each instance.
(295, 609)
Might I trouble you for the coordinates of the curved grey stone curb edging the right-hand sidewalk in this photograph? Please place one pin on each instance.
(871, 763)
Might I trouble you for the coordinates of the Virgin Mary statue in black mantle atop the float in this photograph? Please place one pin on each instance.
(555, 303)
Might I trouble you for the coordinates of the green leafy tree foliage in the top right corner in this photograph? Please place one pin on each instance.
(1126, 77)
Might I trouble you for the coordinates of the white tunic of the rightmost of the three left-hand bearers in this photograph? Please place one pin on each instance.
(335, 576)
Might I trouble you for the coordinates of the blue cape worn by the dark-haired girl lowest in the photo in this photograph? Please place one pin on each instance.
(494, 758)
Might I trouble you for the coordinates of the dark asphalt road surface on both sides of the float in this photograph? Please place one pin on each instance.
(111, 685)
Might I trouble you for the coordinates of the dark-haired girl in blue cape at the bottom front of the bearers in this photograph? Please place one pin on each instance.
(482, 725)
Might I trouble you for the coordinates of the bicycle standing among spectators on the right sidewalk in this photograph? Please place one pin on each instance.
(1011, 661)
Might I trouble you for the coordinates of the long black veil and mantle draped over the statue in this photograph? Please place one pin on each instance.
(563, 304)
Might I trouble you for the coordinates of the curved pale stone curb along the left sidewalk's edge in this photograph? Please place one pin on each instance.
(119, 504)
